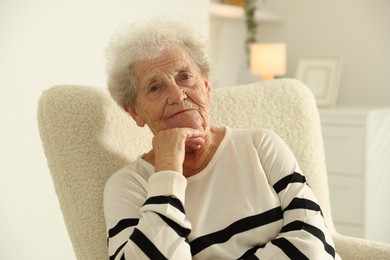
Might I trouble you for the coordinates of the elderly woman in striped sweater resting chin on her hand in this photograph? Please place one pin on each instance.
(202, 192)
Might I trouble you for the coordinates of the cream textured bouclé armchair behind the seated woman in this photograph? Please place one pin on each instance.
(87, 137)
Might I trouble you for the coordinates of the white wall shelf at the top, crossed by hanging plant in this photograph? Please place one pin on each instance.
(236, 12)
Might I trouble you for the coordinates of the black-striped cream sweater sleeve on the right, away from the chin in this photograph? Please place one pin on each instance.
(304, 234)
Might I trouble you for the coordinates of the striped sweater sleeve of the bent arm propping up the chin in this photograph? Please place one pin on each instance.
(147, 219)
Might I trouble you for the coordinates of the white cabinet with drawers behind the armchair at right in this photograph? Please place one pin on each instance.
(357, 149)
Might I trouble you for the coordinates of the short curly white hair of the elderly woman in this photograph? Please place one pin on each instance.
(138, 42)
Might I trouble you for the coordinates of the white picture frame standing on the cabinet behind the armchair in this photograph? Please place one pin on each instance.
(322, 76)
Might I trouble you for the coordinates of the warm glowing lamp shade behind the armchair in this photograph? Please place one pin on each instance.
(268, 59)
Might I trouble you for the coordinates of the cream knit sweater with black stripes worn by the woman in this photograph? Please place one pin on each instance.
(250, 202)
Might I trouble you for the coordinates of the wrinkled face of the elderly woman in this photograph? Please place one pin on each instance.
(171, 92)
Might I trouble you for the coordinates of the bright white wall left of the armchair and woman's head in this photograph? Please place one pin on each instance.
(43, 43)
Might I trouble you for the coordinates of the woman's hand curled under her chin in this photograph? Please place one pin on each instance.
(170, 146)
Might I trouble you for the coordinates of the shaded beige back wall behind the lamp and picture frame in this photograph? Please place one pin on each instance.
(358, 30)
